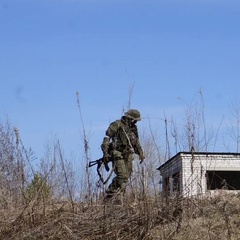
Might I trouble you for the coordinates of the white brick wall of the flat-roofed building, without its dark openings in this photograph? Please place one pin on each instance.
(193, 168)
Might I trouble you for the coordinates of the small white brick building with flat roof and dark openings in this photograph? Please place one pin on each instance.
(198, 173)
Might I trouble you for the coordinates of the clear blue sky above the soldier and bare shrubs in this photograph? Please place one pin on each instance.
(164, 50)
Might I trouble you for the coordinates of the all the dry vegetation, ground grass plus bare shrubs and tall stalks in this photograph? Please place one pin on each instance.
(52, 203)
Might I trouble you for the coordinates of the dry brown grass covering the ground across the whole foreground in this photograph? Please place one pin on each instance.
(213, 218)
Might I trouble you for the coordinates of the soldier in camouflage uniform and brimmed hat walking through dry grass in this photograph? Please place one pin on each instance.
(120, 143)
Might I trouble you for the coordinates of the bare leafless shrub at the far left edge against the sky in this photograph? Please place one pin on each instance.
(15, 162)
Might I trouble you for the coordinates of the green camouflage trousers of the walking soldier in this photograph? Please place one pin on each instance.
(122, 165)
